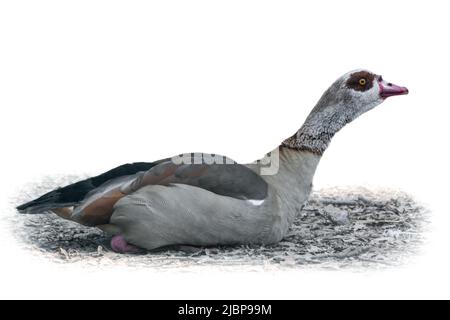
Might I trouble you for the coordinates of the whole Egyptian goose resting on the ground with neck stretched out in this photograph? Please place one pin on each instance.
(206, 200)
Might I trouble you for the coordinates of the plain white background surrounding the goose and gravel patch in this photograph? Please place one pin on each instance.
(88, 85)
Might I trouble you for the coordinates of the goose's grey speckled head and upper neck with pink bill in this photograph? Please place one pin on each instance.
(353, 94)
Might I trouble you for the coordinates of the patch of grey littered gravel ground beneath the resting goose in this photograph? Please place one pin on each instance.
(337, 228)
